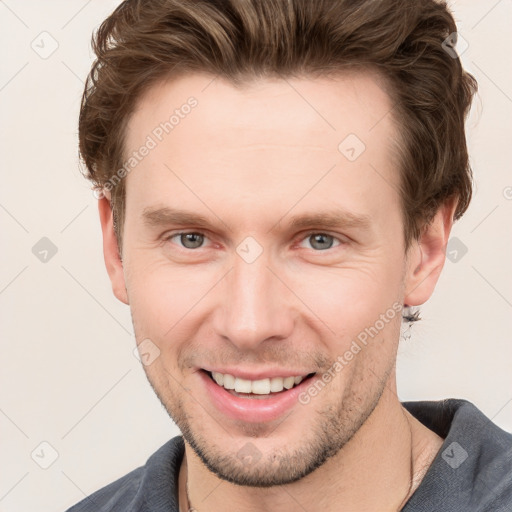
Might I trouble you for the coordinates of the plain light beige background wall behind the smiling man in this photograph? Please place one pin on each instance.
(69, 376)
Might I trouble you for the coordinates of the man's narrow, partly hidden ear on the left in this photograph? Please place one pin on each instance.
(111, 251)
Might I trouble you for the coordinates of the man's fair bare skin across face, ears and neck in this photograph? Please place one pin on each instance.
(246, 158)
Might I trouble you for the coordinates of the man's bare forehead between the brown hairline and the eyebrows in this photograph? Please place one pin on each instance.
(313, 141)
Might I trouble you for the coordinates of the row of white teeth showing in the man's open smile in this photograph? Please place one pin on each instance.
(262, 388)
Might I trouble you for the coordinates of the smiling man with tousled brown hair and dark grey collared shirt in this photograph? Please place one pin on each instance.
(277, 180)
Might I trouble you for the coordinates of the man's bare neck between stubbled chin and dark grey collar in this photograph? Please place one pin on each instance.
(377, 470)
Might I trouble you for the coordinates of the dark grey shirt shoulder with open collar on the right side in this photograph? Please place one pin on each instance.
(473, 469)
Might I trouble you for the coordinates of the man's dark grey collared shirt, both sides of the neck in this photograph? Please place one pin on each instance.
(472, 471)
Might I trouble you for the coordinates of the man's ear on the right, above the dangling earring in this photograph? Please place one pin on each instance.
(426, 256)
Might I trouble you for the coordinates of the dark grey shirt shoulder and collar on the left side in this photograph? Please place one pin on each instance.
(151, 487)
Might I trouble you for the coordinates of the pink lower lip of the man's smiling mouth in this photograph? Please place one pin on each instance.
(252, 410)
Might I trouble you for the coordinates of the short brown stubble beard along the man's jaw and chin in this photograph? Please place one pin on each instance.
(334, 426)
